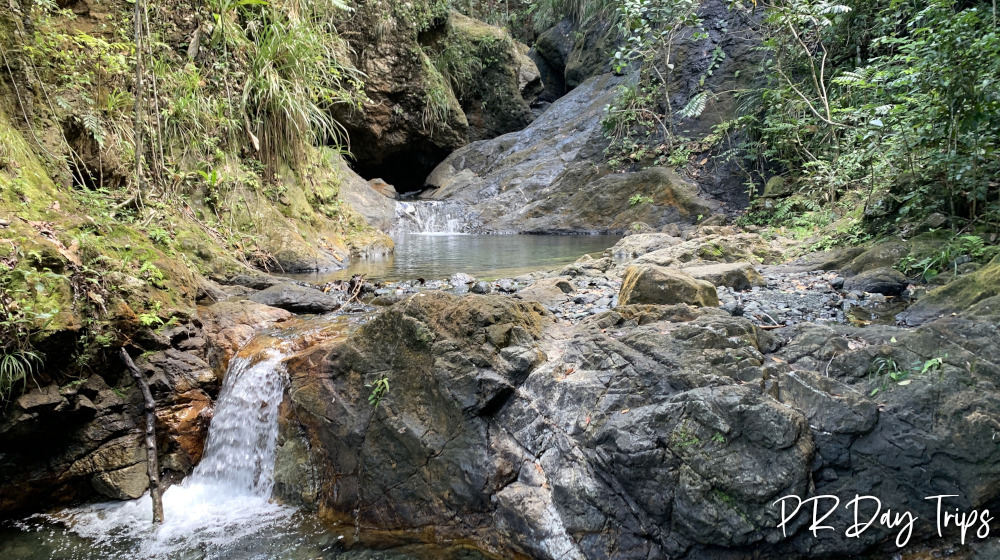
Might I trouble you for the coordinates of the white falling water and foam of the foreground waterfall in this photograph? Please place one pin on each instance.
(225, 503)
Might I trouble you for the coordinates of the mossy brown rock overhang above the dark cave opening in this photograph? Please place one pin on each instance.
(435, 80)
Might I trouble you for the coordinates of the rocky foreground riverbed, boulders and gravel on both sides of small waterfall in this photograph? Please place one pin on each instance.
(654, 401)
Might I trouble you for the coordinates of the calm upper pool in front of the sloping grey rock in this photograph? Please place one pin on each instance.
(438, 256)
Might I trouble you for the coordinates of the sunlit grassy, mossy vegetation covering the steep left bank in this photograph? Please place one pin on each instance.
(183, 159)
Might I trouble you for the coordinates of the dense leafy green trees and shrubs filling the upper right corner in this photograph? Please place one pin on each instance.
(895, 101)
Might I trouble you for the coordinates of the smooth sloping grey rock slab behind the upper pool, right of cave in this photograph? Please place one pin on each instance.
(550, 179)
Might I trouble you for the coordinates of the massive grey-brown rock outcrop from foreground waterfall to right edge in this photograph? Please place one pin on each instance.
(650, 431)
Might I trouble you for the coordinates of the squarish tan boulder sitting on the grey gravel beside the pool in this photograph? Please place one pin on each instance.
(659, 285)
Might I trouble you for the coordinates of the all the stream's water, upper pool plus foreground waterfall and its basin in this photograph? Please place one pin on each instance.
(223, 510)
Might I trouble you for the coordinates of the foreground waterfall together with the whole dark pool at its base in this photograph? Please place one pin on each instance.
(223, 510)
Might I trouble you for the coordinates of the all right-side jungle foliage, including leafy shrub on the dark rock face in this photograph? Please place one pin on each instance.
(889, 105)
